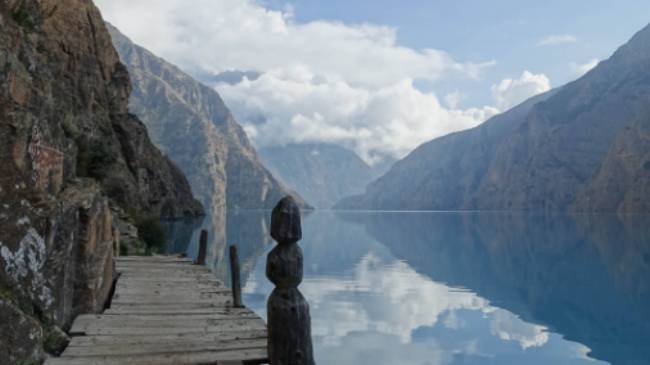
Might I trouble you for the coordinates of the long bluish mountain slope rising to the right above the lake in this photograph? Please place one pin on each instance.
(564, 150)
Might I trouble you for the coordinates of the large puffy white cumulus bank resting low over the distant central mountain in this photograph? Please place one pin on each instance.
(297, 105)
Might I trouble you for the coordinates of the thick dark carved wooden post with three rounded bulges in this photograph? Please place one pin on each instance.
(289, 322)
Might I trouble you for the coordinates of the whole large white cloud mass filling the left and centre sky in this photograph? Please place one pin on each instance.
(321, 81)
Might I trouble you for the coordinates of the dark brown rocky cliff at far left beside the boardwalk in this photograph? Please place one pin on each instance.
(69, 153)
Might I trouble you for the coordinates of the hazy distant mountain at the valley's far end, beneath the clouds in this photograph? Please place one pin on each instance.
(321, 173)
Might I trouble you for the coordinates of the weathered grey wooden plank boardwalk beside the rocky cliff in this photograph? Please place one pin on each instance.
(167, 311)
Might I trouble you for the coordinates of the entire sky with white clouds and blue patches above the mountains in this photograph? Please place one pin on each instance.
(377, 76)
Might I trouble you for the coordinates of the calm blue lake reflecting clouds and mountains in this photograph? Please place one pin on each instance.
(456, 288)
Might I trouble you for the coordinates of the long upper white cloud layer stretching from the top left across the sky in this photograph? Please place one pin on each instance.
(240, 34)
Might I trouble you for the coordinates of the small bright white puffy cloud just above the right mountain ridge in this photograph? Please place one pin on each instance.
(510, 92)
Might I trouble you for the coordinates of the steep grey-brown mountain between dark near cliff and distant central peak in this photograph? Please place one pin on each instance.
(192, 125)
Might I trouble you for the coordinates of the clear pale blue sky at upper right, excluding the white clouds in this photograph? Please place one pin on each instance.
(507, 31)
